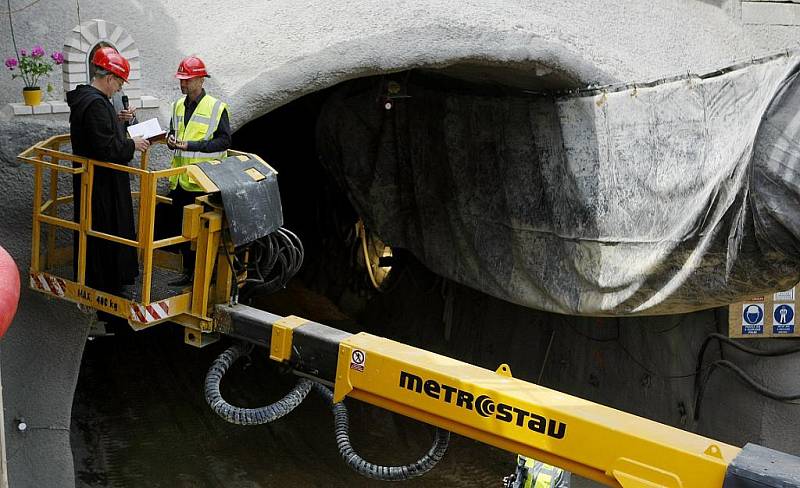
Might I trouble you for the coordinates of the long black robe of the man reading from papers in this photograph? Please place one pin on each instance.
(97, 134)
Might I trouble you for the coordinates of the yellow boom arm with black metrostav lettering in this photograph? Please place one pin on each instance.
(594, 441)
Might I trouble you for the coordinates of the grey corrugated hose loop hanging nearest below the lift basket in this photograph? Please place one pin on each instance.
(248, 416)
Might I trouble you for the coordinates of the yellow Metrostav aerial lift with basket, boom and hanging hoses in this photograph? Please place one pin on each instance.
(590, 440)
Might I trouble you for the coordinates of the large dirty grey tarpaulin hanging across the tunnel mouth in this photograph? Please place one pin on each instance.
(662, 198)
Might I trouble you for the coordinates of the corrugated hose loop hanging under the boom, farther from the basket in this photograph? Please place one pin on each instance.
(374, 471)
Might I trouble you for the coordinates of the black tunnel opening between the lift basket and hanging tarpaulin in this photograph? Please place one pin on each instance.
(314, 206)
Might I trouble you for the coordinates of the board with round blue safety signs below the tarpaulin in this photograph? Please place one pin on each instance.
(773, 315)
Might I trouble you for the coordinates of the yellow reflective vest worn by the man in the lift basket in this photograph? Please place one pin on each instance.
(201, 127)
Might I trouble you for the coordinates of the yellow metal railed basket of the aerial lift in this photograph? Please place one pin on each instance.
(190, 308)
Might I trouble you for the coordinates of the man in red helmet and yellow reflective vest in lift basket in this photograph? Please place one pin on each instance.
(199, 131)
